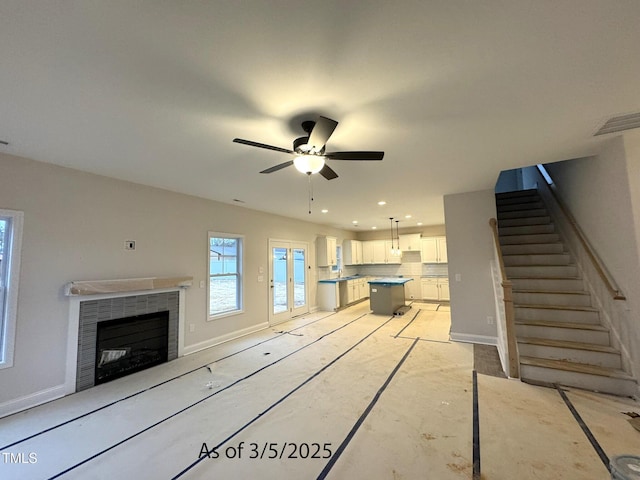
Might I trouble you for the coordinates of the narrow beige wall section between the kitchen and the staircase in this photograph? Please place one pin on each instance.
(470, 252)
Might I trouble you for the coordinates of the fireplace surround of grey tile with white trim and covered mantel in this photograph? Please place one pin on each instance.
(97, 301)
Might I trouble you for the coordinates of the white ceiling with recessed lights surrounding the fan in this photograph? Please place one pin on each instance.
(453, 91)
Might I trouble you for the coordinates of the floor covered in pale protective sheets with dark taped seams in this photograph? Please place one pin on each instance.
(330, 395)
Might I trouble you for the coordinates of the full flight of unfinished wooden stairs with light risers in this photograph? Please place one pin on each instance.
(559, 333)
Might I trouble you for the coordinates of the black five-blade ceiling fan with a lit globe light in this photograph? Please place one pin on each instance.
(309, 151)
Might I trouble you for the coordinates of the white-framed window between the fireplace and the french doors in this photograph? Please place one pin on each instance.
(225, 274)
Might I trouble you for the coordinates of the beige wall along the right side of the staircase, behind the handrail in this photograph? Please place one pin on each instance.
(603, 194)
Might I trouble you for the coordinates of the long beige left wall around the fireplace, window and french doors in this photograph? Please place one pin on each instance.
(75, 225)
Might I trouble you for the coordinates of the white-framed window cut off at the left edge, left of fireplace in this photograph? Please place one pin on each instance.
(10, 243)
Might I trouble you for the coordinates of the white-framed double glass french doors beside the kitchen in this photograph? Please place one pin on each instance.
(288, 289)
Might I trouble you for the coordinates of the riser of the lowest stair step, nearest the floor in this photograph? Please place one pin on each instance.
(615, 386)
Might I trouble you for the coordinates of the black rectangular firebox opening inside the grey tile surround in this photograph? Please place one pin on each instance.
(128, 345)
